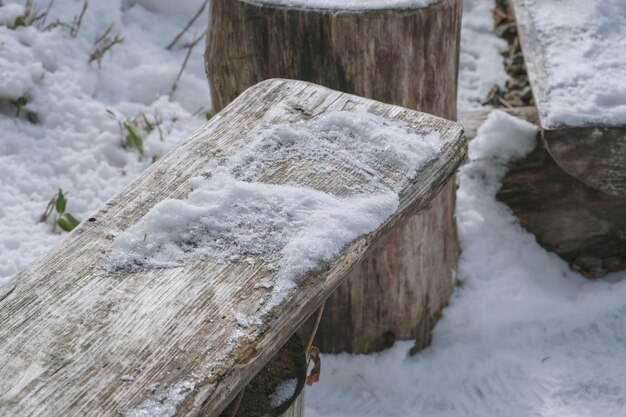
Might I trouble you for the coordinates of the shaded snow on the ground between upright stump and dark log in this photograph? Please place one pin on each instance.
(524, 335)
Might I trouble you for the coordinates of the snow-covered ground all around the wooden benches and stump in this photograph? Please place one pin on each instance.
(523, 335)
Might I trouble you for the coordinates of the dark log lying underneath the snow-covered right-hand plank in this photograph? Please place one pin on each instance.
(583, 225)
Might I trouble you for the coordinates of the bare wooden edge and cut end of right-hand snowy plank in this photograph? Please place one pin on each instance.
(594, 154)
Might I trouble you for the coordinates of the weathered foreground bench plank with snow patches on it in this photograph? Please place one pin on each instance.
(114, 321)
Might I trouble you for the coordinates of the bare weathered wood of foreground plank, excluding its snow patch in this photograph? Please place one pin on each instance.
(71, 332)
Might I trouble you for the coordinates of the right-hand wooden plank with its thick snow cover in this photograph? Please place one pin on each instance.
(575, 54)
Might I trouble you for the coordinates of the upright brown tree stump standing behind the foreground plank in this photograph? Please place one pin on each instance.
(403, 56)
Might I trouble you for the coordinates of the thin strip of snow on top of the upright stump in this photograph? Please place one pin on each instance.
(352, 4)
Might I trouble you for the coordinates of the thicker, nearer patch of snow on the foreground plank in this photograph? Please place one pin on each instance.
(226, 219)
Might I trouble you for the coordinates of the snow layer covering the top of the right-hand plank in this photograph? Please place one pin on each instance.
(584, 51)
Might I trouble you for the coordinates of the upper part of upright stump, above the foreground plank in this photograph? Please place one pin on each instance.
(398, 56)
